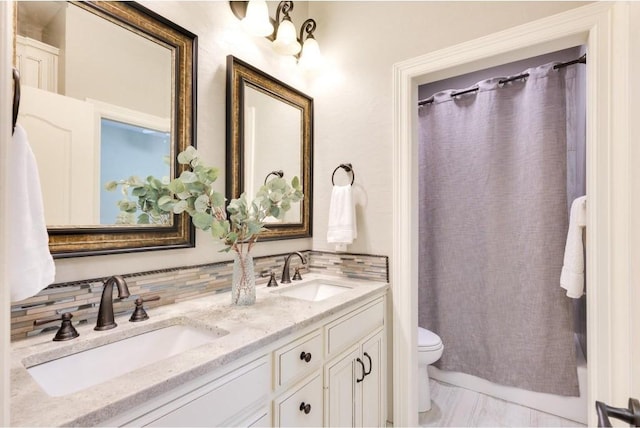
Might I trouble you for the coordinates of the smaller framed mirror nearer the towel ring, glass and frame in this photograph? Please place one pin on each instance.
(269, 132)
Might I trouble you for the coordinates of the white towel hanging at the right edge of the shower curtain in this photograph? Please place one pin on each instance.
(572, 276)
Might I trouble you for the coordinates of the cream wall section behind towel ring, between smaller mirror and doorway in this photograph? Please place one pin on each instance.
(353, 119)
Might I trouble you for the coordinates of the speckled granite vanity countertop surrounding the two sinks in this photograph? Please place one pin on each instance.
(250, 328)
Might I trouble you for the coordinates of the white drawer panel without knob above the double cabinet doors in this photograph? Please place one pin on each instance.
(354, 326)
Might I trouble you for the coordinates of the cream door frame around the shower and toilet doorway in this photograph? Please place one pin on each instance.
(608, 252)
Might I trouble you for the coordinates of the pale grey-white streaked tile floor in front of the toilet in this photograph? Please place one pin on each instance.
(458, 407)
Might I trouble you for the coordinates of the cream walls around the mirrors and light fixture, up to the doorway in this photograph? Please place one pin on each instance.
(353, 112)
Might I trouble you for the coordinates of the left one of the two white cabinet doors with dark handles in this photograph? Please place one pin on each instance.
(341, 375)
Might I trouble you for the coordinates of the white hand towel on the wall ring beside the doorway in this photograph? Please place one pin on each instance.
(342, 218)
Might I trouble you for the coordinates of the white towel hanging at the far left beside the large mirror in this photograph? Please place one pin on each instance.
(30, 265)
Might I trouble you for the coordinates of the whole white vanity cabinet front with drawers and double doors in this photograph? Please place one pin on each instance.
(331, 373)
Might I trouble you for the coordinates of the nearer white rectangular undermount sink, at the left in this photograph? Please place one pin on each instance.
(78, 371)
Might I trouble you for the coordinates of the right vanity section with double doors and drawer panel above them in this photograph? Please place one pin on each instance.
(355, 379)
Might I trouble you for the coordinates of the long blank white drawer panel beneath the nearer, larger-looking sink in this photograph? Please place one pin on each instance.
(219, 401)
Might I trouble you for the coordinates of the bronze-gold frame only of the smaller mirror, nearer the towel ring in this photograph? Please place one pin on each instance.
(239, 74)
